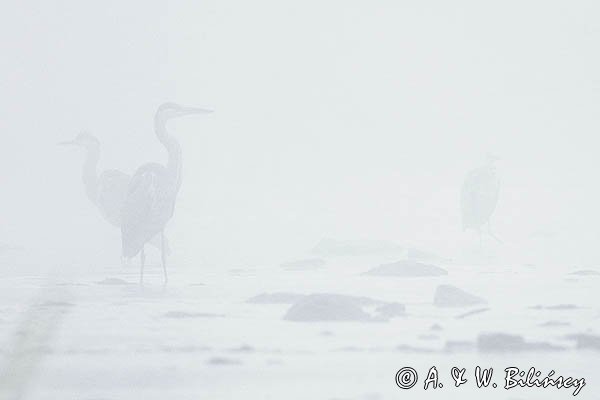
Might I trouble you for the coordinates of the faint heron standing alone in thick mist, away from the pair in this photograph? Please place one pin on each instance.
(479, 197)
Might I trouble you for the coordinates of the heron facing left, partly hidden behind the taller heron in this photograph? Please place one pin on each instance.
(108, 190)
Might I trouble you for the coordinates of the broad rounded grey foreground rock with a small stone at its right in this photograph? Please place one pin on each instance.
(327, 307)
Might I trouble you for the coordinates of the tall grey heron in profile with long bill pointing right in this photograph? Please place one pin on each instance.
(152, 192)
